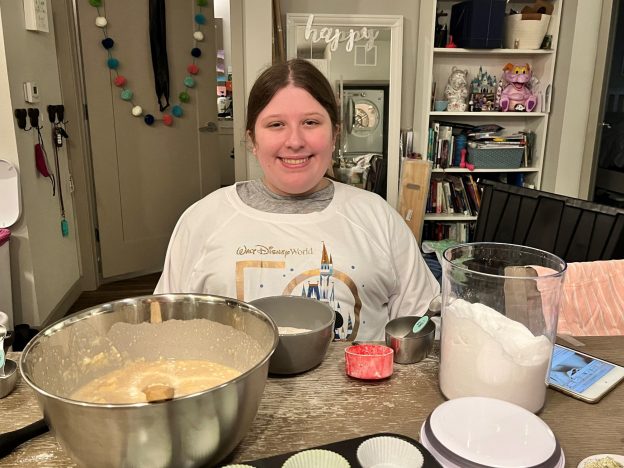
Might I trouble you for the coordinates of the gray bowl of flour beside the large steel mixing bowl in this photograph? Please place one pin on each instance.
(298, 352)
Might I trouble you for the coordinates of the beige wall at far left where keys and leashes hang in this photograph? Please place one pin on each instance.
(45, 265)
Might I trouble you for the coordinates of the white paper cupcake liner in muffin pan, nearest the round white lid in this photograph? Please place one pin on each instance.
(385, 451)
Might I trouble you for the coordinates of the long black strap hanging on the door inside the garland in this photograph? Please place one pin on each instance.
(158, 43)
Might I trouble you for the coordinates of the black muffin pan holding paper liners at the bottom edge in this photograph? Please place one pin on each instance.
(346, 448)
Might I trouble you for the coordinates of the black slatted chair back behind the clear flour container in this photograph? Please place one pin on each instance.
(573, 229)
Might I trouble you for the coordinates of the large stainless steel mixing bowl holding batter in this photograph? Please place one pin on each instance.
(194, 430)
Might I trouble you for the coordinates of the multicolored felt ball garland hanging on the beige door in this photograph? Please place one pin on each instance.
(120, 81)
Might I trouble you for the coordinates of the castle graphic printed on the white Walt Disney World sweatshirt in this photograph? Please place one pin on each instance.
(323, 289)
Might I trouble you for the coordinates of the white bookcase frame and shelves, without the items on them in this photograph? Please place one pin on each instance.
(435, 66)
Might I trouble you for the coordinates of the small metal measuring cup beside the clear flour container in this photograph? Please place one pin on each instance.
(413, 347)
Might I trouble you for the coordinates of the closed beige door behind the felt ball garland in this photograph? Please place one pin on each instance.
(140, 178)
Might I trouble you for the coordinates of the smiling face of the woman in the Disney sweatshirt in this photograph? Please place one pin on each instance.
(293, 140)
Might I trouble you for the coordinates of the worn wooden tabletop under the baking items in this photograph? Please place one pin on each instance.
(324, 406)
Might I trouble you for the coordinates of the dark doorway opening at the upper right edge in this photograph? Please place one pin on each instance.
(609, 179)
